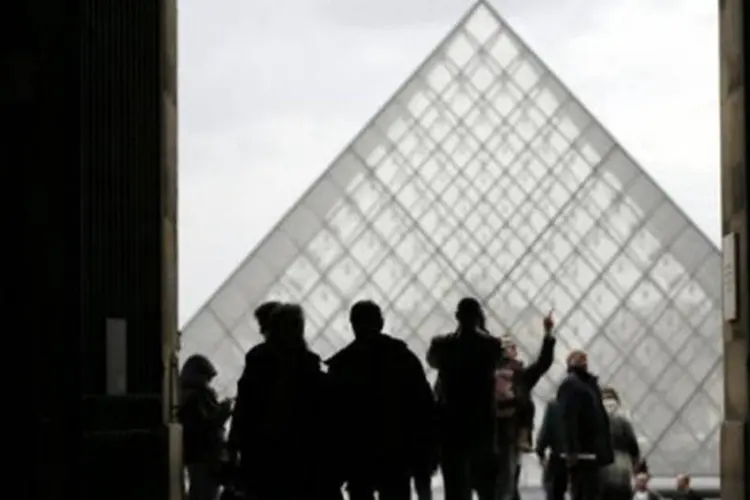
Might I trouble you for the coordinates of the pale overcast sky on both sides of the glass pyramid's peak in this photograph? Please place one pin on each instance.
(271, 91)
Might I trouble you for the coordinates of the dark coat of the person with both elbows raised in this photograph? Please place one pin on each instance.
(466, 363)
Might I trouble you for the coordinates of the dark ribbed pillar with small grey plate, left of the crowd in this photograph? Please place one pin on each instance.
(128, 155)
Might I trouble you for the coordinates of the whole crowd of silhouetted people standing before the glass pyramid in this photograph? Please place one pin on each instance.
(367, 422)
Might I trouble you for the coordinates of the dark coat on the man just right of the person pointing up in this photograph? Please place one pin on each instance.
(584, 419)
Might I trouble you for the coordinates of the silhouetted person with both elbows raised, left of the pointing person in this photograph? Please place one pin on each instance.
(466, 361)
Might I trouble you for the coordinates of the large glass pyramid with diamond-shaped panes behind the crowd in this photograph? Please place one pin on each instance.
(484, 176)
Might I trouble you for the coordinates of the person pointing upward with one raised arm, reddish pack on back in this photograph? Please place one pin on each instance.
(516, 421)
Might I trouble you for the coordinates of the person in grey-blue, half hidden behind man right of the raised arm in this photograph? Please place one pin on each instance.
(548, 449)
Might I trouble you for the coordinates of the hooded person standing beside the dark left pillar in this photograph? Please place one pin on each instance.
(202, 417)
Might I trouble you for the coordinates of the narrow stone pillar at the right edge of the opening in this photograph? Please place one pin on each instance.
(734, 179)
